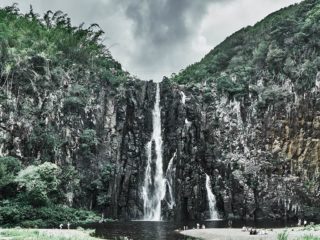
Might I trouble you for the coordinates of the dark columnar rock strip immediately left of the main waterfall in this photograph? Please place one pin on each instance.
(129, 132)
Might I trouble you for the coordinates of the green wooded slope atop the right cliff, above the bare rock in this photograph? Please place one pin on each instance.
(284, 45)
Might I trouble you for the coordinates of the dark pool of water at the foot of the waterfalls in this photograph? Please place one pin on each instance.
(140, 230)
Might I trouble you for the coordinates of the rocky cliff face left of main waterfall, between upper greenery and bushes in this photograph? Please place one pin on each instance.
(104, 140)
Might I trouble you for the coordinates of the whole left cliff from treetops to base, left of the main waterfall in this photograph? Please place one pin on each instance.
(65, 100)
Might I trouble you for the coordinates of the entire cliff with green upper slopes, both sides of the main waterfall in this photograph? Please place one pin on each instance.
(248, 115)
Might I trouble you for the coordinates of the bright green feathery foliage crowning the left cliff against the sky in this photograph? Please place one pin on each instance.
(34, 49)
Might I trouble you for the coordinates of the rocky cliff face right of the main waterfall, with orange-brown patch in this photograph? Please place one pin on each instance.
(263, 162)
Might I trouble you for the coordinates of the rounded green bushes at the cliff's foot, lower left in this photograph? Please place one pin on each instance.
(32, 196)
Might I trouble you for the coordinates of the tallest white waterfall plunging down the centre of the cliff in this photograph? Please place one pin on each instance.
(154, 188)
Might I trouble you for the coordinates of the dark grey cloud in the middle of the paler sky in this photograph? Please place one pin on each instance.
(164, 27)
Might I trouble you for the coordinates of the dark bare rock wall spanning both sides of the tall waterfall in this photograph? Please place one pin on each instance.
(263, 159)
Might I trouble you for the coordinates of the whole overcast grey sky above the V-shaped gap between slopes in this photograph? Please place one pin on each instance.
(153, 38)
